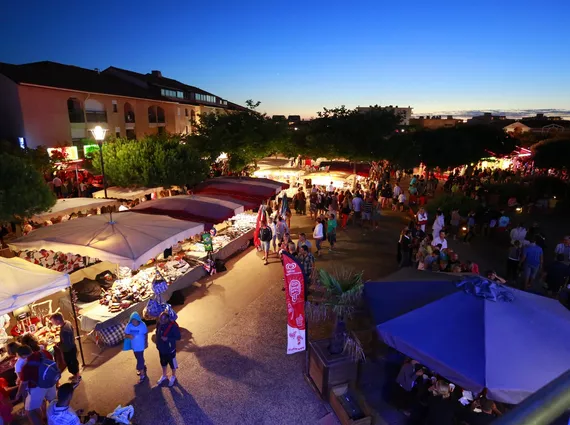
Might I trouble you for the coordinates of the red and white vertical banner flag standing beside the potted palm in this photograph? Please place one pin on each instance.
(295, 296)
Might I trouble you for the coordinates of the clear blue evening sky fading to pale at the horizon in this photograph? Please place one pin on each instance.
(296, 57)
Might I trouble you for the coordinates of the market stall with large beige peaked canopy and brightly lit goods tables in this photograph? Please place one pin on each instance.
(114, 264)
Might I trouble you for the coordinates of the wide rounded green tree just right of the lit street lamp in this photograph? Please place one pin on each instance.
(151, 162)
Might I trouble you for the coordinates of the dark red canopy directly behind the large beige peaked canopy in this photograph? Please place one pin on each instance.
(200, 208)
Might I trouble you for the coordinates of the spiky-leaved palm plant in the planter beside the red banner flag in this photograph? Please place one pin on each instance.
(337, 295)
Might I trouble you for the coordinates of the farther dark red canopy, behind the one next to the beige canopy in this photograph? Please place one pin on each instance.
(241, 187)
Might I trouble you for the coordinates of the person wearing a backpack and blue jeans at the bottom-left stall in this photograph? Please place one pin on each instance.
(40, 375)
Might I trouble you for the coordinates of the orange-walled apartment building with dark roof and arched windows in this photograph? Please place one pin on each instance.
(51, 104)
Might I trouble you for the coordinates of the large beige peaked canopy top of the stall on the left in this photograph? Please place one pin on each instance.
(130, 240)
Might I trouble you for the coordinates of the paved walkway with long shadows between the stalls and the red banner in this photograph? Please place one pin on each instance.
(233, 366)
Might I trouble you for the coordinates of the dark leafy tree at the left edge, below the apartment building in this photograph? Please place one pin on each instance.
(23, 190)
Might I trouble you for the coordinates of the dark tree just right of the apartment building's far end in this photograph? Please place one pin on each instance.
(245, 136)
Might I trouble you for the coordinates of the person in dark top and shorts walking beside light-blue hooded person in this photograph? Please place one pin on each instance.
(167, 333)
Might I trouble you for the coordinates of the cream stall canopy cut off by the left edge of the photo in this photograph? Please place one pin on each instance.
(22, 283)
